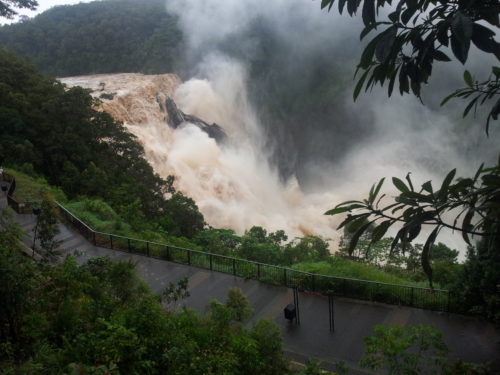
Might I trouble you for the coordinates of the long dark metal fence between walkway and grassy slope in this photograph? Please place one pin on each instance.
(425, 298)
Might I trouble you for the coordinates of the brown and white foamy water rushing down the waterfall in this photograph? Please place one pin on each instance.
(233, 184)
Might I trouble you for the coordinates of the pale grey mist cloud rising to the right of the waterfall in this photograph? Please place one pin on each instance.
(351, 145)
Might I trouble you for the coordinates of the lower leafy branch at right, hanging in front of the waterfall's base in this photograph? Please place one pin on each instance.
(474, 203)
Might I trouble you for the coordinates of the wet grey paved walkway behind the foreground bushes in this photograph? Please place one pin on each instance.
(468, 339)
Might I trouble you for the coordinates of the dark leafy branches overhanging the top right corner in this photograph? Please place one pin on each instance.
(415, 35)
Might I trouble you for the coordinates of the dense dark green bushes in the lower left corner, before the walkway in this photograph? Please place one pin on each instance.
(100, 318)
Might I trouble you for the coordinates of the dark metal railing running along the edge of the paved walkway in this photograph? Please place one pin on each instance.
(397, 293)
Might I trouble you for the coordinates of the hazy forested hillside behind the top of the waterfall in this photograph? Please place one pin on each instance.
(99, 37)
